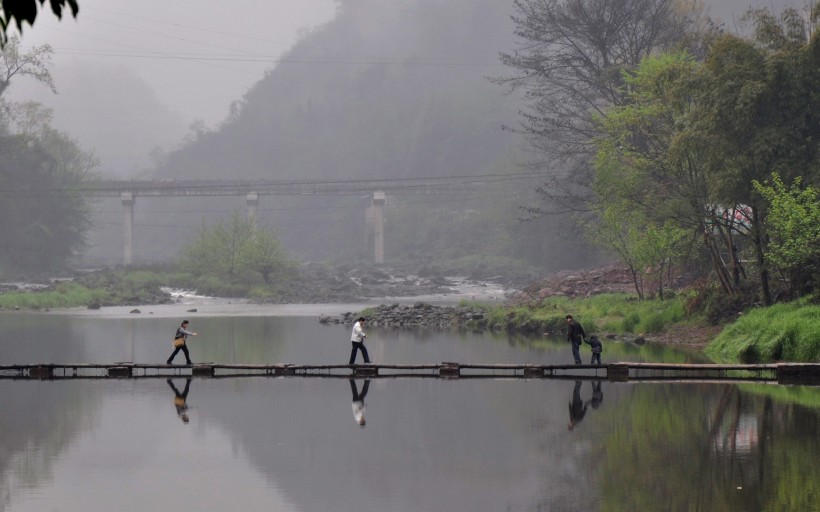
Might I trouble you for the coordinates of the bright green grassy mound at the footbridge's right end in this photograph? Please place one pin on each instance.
(783, 332)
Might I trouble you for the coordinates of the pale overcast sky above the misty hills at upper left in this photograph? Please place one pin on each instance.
(197, 55)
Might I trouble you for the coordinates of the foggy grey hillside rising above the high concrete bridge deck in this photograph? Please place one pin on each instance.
(392, 89)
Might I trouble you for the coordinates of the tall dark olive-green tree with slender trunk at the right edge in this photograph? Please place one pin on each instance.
(758, 105)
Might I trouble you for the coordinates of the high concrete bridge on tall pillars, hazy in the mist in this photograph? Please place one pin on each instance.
(128, 191)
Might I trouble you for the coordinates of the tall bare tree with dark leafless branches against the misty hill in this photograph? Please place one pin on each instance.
(571, 63)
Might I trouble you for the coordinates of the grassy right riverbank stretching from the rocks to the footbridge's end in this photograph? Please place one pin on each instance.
(783, 332)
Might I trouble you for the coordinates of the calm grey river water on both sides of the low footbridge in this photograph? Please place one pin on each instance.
(293, 444)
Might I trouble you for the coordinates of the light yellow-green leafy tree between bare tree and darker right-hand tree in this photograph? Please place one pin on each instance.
(651, 191)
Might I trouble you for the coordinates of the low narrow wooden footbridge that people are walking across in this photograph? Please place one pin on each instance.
(786, 373)
